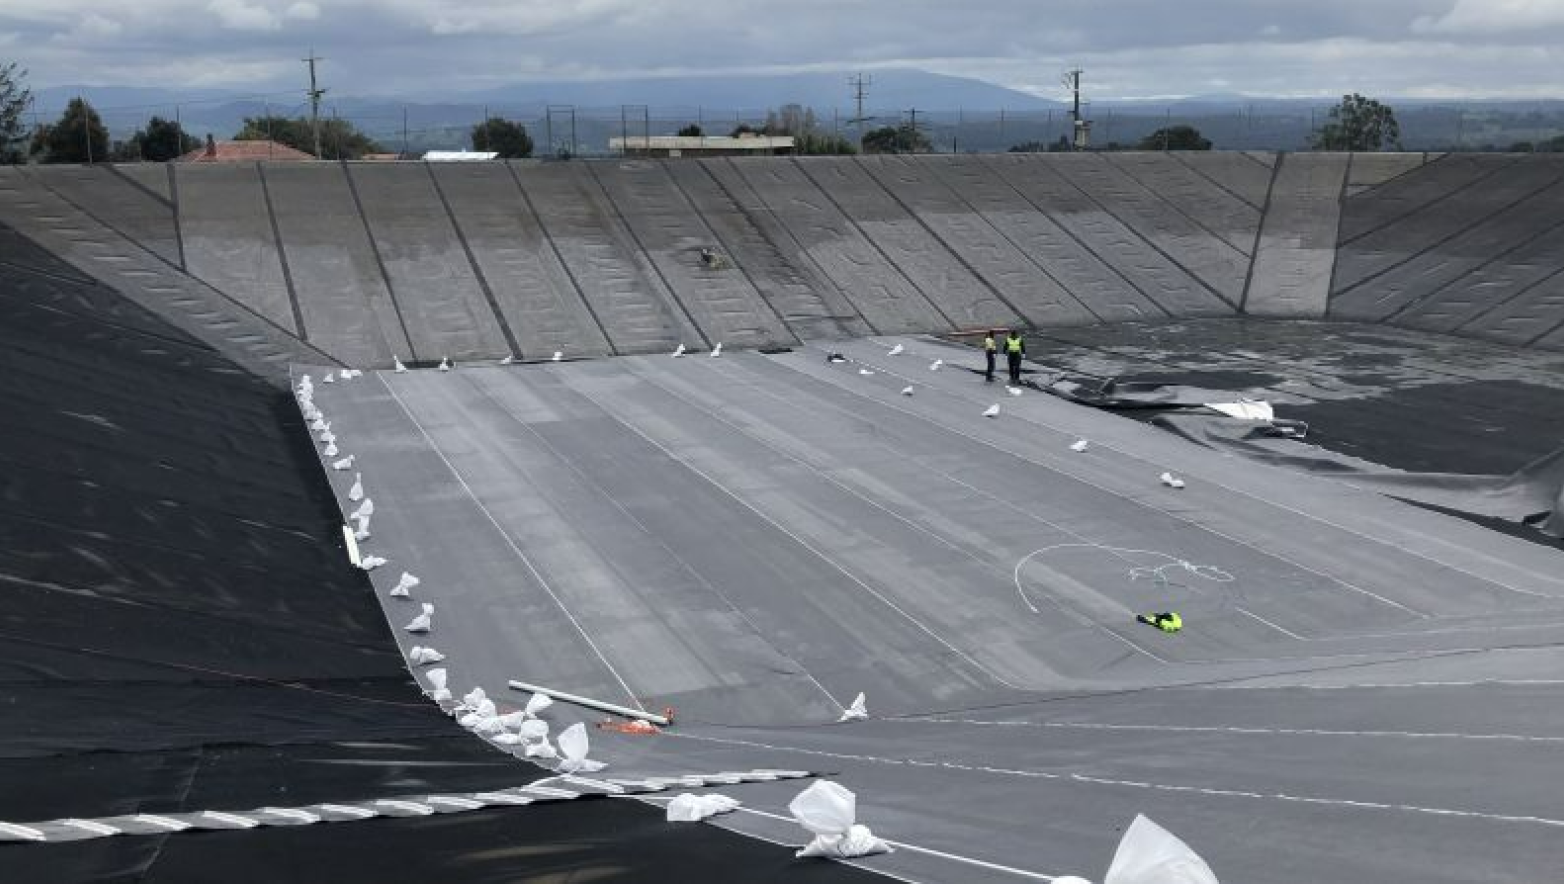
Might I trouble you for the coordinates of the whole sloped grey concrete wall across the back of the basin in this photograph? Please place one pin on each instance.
(365, 262)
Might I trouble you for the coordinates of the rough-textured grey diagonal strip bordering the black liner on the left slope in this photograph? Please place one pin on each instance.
(107, 257)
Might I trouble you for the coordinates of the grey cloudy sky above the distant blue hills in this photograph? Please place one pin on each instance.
(1130, 48)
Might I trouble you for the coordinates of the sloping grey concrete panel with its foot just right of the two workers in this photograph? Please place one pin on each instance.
(975, 240)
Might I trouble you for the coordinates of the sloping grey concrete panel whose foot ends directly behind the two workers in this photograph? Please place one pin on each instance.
(939, 275)
